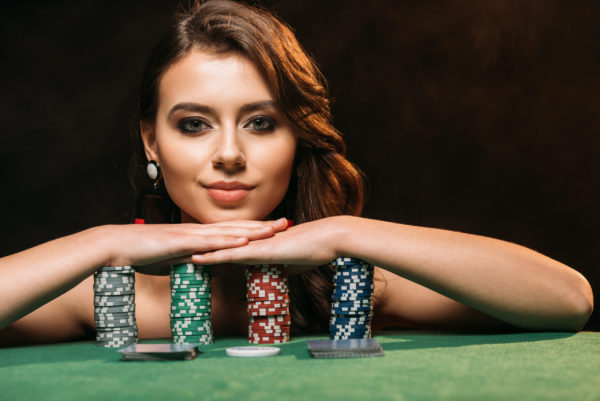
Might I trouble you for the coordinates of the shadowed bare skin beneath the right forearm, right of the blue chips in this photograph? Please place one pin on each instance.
(400, 302)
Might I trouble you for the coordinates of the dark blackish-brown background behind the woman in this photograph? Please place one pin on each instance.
(477, 116)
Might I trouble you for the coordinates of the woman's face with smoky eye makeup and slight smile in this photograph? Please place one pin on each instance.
(225, 151)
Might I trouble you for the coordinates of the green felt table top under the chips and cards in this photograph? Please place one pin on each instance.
(416, 366)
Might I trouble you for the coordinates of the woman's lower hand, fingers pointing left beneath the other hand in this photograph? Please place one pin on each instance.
(302, 247)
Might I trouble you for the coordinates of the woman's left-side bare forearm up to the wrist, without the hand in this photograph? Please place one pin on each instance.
(37, 275)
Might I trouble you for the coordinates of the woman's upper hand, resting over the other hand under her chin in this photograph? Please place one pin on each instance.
(153, 247)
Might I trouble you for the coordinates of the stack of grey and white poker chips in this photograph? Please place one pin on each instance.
(114, 306)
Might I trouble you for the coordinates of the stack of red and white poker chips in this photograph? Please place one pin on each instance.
(268, 305)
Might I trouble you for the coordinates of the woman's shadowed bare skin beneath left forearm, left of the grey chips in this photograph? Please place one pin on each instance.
(67, 317)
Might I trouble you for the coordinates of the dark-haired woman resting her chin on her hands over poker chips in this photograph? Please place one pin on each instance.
(236, 118)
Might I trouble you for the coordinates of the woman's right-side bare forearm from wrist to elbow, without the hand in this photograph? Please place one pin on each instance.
(507, 281)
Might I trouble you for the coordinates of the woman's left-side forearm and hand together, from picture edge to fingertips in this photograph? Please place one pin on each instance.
(33, 277)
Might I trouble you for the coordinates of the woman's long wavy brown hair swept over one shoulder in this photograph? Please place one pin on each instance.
(324, 183)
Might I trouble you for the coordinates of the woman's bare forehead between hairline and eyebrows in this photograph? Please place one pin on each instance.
(206, 77)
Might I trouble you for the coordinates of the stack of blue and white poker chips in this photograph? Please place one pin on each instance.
(351, 307)
